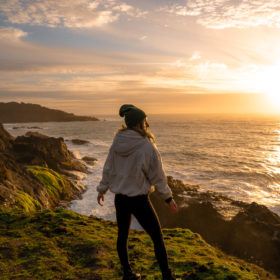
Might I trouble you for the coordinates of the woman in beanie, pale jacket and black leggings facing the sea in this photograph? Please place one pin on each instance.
(132, 166)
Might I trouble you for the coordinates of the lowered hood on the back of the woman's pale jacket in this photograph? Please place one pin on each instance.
(127, 142)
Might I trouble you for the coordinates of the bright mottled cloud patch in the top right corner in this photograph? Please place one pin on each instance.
(220, 14)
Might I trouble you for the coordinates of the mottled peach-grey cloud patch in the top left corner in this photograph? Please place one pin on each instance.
(67, 13)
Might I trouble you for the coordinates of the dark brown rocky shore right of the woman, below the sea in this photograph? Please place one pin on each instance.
(249, 231)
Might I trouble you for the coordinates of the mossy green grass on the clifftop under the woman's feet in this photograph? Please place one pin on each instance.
(61, 244)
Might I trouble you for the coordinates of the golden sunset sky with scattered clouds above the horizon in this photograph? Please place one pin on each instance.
(89, 57)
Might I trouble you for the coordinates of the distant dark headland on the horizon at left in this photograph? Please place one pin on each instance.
(13, 112)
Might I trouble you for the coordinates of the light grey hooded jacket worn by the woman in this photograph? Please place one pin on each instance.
(133, 166)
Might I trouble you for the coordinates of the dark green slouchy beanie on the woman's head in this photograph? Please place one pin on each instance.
(132, 115)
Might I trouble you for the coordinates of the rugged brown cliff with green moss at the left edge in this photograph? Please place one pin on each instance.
(28, 172)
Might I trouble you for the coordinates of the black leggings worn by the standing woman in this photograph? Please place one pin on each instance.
(140, 206)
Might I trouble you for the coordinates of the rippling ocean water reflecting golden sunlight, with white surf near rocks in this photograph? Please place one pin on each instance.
(236, 156)
